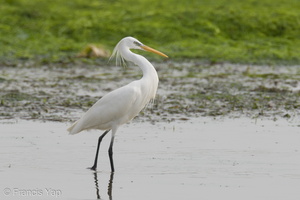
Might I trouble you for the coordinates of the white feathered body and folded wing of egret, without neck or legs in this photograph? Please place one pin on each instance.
(114, 109)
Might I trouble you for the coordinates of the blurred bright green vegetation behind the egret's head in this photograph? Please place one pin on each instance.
(251, 31)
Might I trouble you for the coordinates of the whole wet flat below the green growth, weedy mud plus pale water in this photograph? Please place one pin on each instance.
(214, 131)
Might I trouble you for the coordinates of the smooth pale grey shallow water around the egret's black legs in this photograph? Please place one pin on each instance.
(201, 158)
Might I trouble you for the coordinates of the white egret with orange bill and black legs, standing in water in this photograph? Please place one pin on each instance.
(123, 104)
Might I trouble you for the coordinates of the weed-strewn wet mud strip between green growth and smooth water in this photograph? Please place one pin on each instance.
(62, 92)
